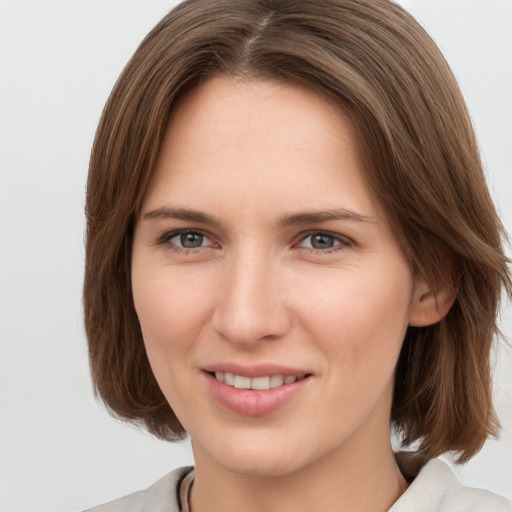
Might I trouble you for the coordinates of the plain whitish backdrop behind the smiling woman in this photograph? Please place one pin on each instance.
(59, 449)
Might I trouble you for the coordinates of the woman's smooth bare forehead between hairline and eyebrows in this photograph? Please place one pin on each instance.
(271, 136)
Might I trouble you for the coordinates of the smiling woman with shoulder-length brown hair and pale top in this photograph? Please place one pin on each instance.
(290, 250)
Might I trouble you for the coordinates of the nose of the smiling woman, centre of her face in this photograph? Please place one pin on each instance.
(251, 305)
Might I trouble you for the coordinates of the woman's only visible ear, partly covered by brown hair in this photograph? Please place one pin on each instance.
(431, 304)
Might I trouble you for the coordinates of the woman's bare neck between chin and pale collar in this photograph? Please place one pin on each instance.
(342, 481)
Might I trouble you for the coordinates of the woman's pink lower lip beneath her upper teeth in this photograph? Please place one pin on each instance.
(249, 402)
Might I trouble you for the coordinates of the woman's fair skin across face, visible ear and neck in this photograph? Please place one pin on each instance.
(260, 253)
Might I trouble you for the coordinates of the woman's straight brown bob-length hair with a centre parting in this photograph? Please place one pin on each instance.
(421, 159)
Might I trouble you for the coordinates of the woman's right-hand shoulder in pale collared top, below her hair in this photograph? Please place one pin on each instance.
(437, 489)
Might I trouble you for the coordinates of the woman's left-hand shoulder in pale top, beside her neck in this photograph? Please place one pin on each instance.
(162, 496)
